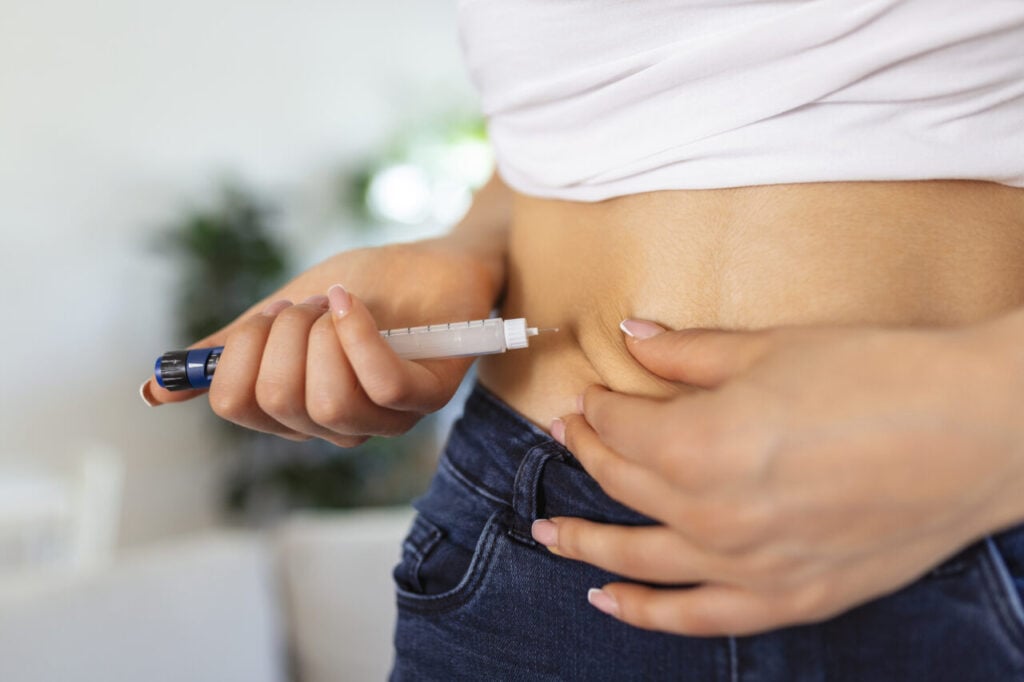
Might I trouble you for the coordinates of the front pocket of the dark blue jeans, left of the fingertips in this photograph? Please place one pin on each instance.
(436, 574)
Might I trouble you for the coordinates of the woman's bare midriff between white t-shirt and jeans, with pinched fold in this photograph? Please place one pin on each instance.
(892, 253)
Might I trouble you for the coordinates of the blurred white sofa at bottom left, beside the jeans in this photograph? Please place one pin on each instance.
(219, 608)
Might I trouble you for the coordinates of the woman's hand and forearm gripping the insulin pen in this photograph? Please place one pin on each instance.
(301, 371)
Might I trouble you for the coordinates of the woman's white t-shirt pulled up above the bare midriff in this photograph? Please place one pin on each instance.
(588, 100)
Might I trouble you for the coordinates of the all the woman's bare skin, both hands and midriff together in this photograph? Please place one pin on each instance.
(900, 279)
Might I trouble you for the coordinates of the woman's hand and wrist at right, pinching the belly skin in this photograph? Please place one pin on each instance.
(805, 473)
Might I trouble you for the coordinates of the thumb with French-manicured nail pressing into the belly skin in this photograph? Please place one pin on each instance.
(697, 357)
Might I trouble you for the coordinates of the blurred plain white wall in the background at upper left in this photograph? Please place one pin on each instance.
(113, 116)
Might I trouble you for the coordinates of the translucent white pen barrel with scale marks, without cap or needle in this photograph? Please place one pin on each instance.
(478, 337)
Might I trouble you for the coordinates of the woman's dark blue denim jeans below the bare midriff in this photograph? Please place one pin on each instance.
(480, 601)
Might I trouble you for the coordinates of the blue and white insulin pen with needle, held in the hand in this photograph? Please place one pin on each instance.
(183, 370)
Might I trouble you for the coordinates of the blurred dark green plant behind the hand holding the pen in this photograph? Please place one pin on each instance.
(231, 258)
